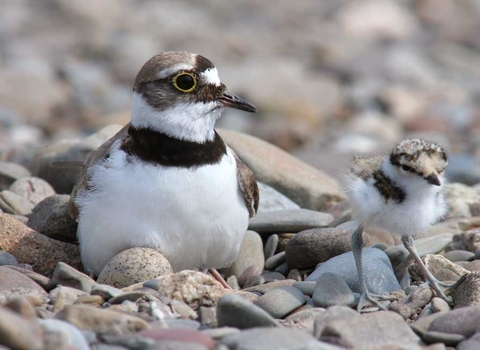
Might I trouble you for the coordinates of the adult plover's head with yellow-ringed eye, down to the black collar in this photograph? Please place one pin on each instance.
(181, 95)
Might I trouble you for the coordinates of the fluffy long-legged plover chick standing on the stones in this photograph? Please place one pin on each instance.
(401, 193)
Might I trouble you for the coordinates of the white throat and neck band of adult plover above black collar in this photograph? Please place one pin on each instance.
(191, 122)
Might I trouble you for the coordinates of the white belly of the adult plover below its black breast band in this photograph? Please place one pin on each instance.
(196, 217)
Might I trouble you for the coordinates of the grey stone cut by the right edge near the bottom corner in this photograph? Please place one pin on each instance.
(461, 321)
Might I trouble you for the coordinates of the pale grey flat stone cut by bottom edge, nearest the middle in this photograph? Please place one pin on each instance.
(273, 339)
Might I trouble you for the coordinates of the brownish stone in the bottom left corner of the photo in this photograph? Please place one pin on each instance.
(17, 332)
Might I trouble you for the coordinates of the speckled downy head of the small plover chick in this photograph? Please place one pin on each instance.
(416, 158)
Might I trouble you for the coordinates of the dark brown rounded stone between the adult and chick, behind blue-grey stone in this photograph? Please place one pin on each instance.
(308, 248)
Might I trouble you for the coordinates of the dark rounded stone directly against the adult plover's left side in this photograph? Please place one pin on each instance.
(51, 217)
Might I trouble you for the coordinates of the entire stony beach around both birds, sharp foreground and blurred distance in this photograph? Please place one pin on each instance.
(330, 79)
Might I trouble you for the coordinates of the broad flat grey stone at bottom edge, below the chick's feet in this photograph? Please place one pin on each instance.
(376, 330)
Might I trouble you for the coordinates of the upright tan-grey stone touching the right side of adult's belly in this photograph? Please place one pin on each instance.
(250, 254)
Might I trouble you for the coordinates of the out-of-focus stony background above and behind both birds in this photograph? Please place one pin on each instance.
(329, 77)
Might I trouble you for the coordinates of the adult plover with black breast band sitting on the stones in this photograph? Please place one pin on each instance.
(167, 180)
